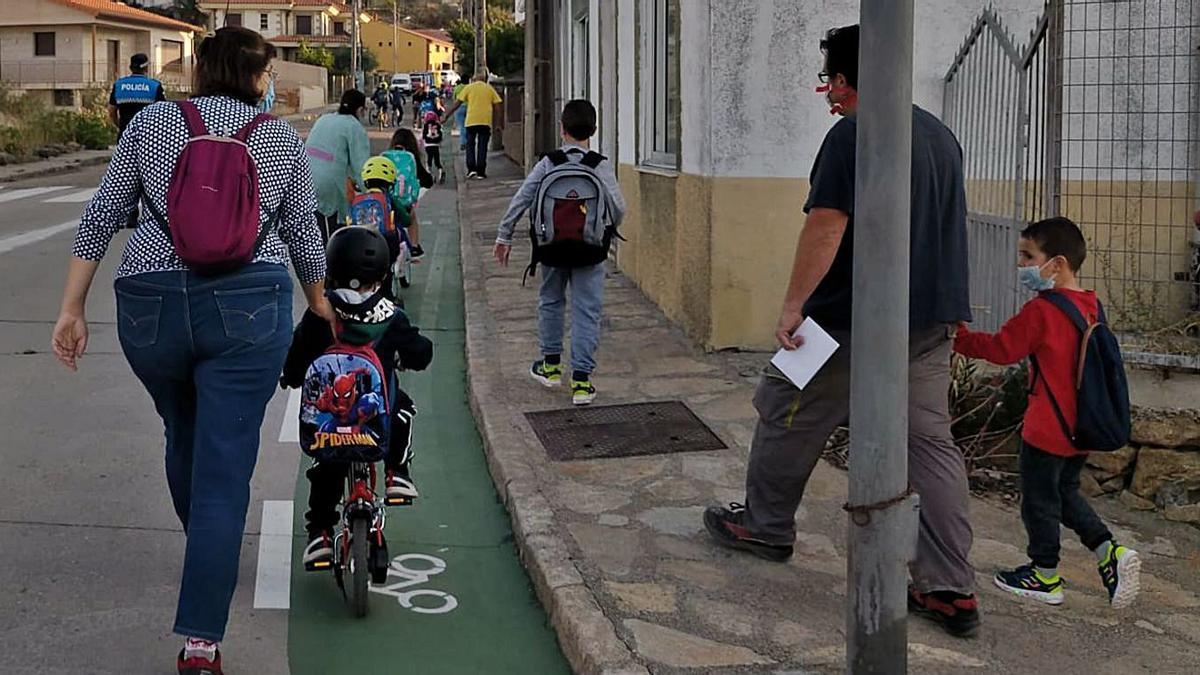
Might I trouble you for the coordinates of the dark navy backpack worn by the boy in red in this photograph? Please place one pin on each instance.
(1102, 395)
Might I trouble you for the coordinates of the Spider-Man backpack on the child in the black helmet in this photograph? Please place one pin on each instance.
(344, 410)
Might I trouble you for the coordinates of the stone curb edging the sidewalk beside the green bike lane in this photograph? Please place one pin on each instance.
(586, 636)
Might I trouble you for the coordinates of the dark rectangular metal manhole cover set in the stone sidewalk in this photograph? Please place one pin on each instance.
(620, 432)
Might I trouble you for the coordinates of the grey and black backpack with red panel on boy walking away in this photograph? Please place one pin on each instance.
(571, 225)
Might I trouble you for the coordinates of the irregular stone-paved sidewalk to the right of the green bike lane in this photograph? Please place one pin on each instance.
(620, 558)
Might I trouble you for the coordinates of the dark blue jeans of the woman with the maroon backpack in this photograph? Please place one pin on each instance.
(209, 351)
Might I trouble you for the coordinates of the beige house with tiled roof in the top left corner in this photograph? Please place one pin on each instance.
(61, 50)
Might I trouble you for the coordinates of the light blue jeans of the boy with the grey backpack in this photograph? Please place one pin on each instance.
(587, 303)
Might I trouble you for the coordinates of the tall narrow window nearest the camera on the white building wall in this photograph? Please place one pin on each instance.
(661, 83)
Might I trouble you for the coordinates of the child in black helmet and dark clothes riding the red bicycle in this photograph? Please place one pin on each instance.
(358, 264)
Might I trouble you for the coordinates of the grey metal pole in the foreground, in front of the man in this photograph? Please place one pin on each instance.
(883, 518)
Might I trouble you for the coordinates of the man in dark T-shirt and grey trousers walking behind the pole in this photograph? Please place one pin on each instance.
(794, 425)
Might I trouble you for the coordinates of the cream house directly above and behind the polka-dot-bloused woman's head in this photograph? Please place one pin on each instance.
(285, 23)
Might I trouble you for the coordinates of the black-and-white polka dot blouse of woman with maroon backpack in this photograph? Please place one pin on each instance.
(145, 160)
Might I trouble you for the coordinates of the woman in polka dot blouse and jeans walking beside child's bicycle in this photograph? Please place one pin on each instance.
(208, 349)
